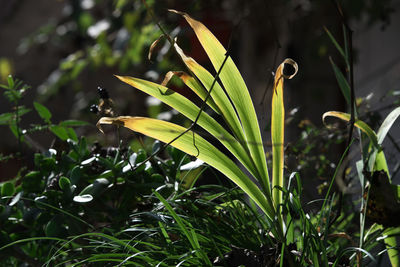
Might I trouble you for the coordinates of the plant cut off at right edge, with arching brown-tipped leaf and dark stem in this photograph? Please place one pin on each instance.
(373, 158)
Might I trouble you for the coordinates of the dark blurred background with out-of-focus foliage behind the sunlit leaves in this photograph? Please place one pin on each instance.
(65, 49)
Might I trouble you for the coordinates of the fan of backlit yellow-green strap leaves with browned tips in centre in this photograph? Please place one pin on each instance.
(245, 138)
